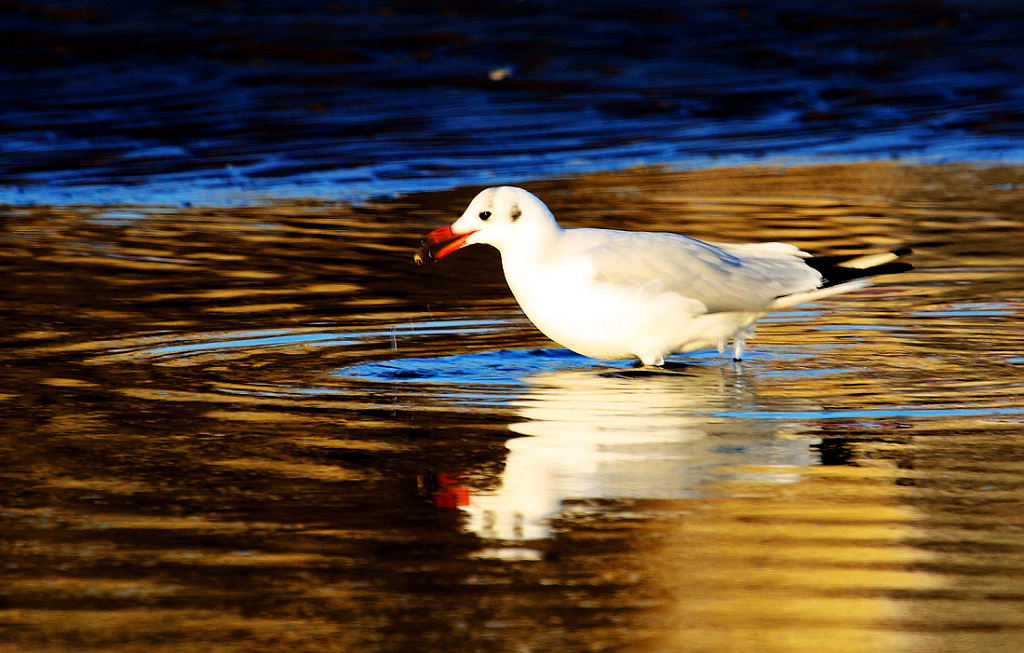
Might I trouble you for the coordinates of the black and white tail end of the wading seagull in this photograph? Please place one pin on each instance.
(845, 274)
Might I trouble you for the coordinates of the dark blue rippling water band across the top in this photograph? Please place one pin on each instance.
(229, 103)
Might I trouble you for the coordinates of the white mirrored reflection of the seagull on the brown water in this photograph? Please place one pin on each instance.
(592, 437)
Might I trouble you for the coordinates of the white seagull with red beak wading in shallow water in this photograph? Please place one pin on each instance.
(617, 295)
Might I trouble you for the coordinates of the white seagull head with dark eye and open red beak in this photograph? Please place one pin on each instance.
(505, 217)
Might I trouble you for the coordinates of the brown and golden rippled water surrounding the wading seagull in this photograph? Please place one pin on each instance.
(252, 428)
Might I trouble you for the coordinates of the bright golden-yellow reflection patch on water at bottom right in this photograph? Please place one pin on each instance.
(819, 563)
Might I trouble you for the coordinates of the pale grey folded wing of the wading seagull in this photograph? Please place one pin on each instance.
(723, 278)
